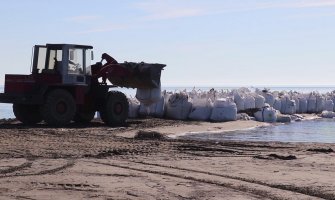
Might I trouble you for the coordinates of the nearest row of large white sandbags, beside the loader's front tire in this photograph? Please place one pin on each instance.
(179, 106)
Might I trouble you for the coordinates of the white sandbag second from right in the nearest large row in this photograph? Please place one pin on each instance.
(201, 109)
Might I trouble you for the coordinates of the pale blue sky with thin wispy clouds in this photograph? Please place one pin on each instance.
(203, 43)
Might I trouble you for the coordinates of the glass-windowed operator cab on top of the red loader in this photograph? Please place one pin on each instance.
(67, 61)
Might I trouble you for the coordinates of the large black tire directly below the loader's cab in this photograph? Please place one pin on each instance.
(59, 108)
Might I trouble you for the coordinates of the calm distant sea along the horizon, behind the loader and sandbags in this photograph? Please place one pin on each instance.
(6, 109)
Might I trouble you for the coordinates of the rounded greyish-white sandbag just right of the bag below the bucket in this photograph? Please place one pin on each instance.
(178, 106)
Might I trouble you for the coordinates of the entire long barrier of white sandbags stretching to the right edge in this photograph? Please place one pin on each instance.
(198, 105)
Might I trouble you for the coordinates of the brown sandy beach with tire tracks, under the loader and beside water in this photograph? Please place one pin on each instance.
(139, 161)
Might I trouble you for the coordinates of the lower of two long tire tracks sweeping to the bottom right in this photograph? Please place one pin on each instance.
(261, 190)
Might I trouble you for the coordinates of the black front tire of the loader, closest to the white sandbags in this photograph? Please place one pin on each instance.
(115, 109)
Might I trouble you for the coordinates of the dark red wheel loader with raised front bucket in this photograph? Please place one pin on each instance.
(63, 86)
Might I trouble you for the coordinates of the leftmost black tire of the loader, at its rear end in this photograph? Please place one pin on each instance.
(27, 114)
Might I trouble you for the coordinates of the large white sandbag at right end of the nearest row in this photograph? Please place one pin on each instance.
(224, 110)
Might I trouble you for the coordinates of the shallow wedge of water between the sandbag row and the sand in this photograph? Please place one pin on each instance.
(320, 130)
